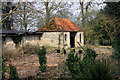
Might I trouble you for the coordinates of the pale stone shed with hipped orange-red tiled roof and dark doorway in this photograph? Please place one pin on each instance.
(61, 32)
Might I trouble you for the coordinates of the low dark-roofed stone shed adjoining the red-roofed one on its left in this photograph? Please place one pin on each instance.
(13, 38)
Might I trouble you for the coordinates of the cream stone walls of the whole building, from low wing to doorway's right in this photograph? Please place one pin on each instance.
(47, 39)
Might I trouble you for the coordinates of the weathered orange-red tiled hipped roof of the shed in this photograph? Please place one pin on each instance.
(59, 24)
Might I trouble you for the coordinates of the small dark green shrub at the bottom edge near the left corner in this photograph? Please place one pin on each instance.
(13, 73)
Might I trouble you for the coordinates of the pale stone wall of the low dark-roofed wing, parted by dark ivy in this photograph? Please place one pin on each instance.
(28, 39)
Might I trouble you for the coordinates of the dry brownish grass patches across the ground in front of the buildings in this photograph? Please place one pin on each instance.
(29, 64)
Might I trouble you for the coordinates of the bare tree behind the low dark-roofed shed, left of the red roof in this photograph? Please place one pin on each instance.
(24, 17)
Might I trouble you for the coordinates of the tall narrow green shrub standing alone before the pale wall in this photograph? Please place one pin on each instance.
(42, 59)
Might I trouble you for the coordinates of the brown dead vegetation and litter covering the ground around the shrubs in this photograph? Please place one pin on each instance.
(28, 65)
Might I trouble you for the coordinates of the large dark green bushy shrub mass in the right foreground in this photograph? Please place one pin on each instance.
(88, 68)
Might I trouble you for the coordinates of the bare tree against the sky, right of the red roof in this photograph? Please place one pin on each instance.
(87, 11)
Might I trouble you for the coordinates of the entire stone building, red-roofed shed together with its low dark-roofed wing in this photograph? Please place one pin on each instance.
(57, 33)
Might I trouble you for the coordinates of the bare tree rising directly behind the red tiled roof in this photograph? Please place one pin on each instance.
(49, 9)
